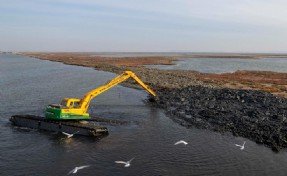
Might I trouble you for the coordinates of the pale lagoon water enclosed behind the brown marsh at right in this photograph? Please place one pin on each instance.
(224, 65)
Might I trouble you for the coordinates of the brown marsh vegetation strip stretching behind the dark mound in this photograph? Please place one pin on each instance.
(275, 83)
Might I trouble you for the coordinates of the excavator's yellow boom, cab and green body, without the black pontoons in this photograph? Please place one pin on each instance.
(73, 108)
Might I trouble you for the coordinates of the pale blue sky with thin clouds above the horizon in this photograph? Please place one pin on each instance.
(143, 25)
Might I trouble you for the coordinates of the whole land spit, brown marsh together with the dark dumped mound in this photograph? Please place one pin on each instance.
(240, 102)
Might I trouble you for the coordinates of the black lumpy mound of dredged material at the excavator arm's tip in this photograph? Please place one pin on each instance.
(255, 115)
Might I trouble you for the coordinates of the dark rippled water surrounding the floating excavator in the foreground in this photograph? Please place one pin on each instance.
(27, 85)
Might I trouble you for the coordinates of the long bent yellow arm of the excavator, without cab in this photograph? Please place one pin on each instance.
(85, 101)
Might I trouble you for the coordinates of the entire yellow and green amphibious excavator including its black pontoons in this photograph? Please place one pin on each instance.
(66, 116)
